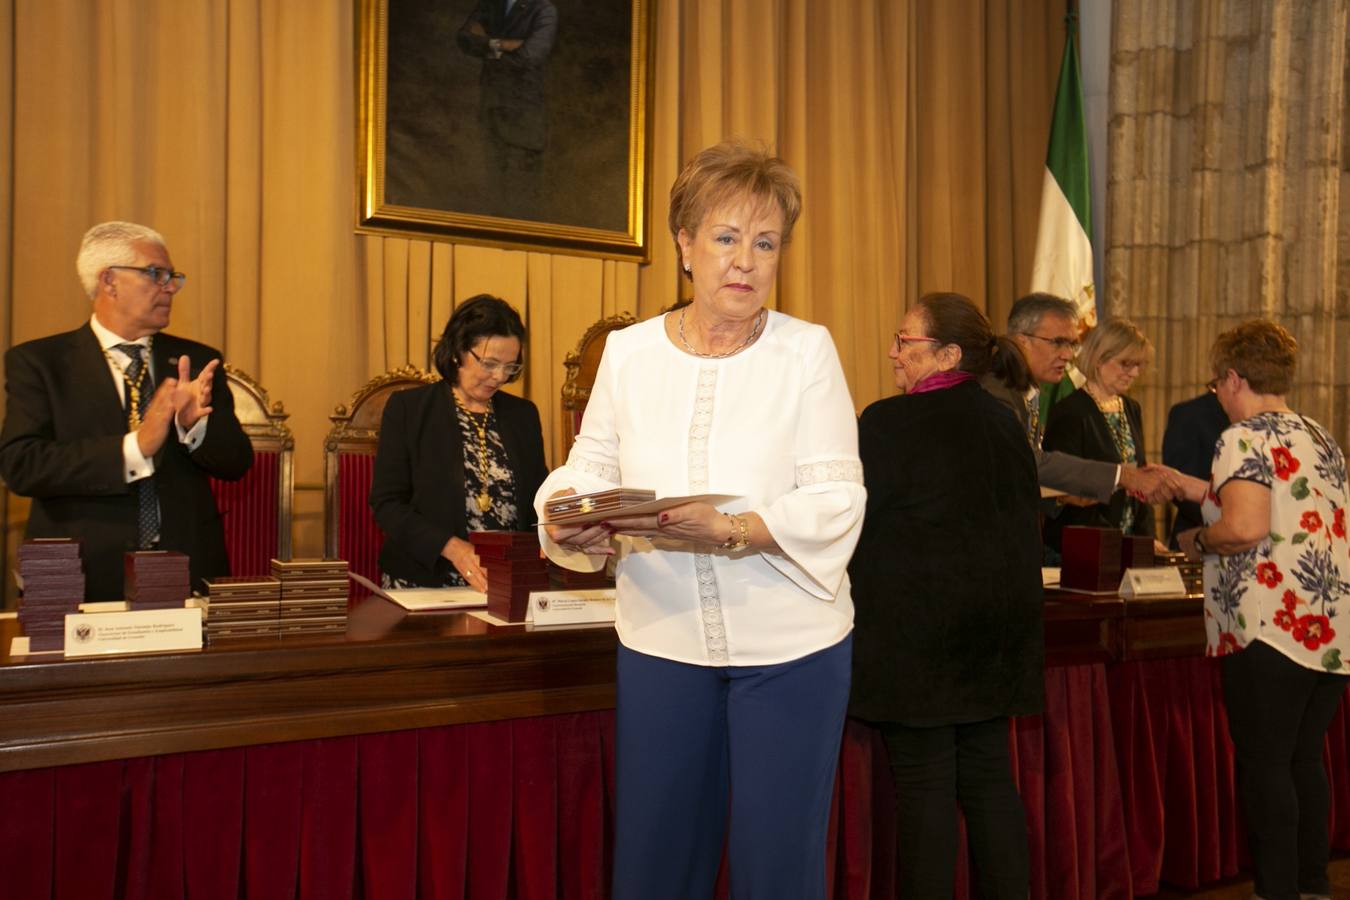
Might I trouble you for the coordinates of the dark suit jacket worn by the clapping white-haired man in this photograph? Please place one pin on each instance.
(61, 445)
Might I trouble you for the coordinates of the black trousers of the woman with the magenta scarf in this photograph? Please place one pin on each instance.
(939, 770)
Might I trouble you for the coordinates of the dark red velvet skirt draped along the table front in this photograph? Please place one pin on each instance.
(1127, 779)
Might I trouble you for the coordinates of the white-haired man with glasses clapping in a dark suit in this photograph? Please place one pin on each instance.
(115, 428)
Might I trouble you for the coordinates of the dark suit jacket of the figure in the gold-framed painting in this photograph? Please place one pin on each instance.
(514, 88)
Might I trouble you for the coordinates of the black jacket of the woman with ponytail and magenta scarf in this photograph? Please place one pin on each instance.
(947, 577)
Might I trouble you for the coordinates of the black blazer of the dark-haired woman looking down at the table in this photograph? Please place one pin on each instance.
(418, 489)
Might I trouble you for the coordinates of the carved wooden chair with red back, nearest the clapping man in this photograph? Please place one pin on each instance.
(256, 512)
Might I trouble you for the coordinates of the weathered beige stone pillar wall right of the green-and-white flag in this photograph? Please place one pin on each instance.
(1231, 190)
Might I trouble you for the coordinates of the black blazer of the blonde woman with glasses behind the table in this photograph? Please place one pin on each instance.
(1078, 427)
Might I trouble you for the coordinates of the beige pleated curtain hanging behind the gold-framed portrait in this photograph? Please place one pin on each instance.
(919, 130)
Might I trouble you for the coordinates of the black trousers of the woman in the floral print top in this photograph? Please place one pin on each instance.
(1279, 714)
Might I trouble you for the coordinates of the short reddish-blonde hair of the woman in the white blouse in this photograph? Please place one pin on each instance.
(727, 172)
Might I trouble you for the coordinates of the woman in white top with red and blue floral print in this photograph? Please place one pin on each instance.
(1276, 580)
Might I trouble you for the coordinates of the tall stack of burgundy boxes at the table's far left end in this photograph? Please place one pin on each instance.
(53, 586)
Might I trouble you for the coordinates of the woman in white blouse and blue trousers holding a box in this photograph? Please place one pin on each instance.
(735, 621)
